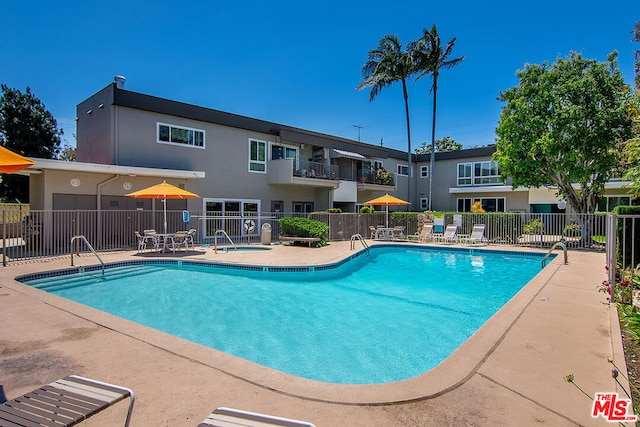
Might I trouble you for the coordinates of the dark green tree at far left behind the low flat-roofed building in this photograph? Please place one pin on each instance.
(27, 128)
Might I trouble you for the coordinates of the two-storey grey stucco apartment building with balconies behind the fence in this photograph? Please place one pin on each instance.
(127, 141)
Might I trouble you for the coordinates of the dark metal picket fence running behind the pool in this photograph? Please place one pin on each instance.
(32, 234)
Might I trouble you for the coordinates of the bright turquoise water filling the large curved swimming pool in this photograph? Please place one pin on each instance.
(385, 317)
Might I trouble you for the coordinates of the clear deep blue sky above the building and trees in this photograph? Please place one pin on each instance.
(298, 63)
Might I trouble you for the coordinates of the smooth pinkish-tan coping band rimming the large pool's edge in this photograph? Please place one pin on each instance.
(454, 371)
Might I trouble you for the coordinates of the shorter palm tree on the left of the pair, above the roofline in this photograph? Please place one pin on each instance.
(385, 65)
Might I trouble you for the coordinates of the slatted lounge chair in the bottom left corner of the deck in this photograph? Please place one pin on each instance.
(64, 402)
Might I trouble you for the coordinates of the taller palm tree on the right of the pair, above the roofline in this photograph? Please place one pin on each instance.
(429, 57)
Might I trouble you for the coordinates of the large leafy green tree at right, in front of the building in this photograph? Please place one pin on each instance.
(563, 127)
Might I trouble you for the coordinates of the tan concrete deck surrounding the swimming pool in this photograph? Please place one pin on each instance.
(510, 372)
